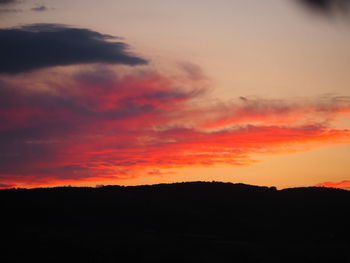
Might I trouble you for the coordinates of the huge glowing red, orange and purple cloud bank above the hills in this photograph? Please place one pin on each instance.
(98, 124)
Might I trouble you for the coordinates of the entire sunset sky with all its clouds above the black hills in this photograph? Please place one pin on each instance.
(159, 91)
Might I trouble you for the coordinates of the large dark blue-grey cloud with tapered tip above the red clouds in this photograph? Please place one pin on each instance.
(46, 45)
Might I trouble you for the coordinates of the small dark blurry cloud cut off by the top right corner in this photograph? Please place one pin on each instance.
(327, 6)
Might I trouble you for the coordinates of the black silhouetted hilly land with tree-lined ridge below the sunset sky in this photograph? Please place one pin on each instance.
(182, 222)
